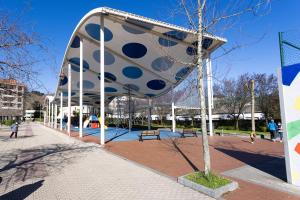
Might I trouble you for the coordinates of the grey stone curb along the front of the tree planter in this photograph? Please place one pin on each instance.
(215, 193)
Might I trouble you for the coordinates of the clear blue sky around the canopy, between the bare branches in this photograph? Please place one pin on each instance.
(55, 21)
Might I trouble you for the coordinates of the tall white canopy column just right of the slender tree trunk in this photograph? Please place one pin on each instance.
(209, 94)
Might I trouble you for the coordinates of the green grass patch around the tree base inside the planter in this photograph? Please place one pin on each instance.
(211, 181)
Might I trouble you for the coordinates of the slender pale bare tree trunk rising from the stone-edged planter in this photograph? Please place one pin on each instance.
(206, 156)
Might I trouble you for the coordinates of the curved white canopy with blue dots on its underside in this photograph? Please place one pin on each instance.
(145, 56)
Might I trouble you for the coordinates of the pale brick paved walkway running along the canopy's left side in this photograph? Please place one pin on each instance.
(44, 164)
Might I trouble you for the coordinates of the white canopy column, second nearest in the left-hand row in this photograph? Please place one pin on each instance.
(80, 87)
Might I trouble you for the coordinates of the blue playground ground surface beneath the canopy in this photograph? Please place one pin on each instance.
(120, 134)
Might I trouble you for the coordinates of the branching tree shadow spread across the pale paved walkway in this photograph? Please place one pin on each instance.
(25, 164)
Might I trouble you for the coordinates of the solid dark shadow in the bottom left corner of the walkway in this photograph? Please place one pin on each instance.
(22, 192)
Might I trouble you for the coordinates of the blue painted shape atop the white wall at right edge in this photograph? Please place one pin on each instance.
(289, 73)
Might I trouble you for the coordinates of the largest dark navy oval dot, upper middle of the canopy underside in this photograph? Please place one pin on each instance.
(134, 50)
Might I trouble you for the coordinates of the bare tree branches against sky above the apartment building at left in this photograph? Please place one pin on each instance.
(20, 50)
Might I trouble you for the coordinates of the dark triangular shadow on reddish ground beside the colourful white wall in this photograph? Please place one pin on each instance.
(272, 165)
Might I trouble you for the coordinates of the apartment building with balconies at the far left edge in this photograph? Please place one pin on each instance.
(11, 99)
